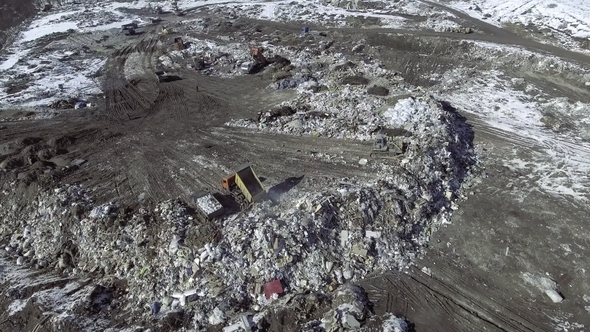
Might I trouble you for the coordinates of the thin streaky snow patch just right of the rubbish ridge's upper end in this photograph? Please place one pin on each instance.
(528, 119)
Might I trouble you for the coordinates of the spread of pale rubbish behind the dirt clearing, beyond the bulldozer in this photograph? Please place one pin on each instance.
(326, 105)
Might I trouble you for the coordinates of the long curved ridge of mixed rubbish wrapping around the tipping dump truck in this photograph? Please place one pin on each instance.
(315, 239)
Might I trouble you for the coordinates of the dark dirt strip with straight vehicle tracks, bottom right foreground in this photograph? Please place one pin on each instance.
(445, 294)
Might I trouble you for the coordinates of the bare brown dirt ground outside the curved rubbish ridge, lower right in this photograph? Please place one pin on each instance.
(506, 228)
